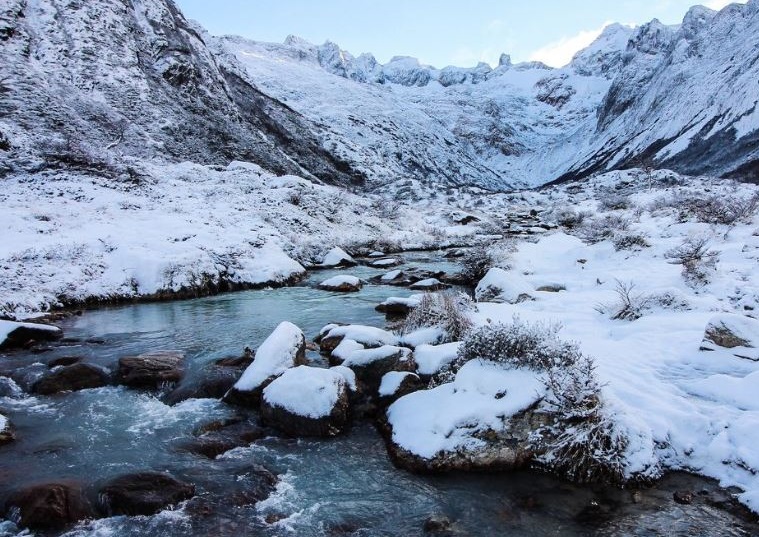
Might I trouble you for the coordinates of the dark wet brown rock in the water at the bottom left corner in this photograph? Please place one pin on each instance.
(49, 506)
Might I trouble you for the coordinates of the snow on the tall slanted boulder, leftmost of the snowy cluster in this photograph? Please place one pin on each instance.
(273, 357)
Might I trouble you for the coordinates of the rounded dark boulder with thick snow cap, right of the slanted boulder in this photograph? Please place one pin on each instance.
(307, 401)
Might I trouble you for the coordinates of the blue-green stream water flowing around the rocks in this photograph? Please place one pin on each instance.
(342, 486)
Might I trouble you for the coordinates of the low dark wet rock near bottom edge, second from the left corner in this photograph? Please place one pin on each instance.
(143, 493)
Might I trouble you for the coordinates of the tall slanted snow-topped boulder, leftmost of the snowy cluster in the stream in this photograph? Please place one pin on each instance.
(284, 348)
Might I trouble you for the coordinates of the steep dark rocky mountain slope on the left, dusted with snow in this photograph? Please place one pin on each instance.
(94, 84)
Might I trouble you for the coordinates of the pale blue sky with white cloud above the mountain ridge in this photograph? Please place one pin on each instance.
(438, 32)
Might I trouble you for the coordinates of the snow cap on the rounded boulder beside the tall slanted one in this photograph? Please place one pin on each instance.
(306, 391)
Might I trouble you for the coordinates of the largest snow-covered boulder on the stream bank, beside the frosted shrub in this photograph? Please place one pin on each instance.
(476, 422)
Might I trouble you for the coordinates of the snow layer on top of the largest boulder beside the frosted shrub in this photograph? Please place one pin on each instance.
(446, 418)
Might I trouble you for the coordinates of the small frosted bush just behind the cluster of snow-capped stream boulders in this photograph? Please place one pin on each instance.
(448, 310)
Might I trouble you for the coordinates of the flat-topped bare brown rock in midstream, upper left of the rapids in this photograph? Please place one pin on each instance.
(150, 370)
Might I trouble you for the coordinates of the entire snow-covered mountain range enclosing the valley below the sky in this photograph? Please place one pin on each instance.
(100, 85)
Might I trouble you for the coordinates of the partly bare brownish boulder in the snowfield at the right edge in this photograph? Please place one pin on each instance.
(737, 333)
